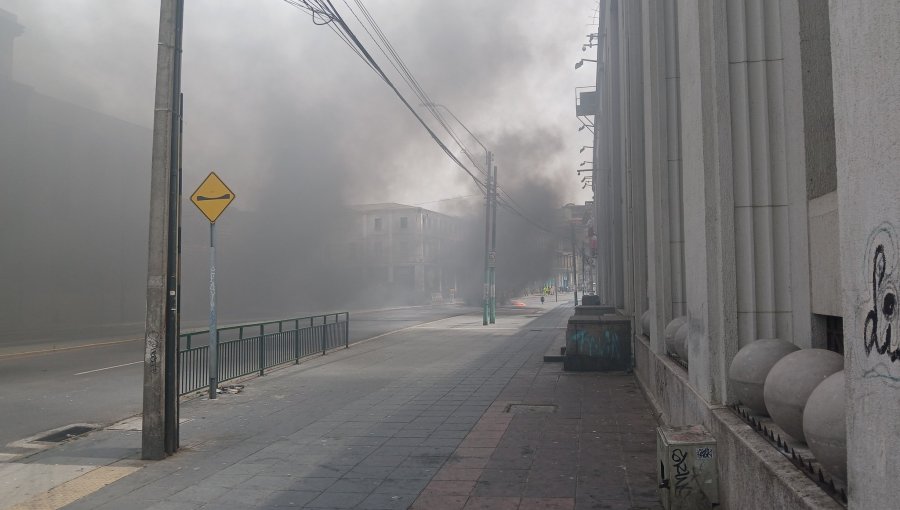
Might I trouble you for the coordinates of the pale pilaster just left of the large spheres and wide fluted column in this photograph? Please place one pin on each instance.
(707, 194)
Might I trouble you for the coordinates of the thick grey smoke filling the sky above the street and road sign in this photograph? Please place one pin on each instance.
(297, 125)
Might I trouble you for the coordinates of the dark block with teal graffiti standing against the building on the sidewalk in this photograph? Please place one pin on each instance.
(597, 341)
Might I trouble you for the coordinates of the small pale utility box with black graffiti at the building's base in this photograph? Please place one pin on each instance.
(687, 473)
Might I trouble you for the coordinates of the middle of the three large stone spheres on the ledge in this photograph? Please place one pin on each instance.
(792, 380)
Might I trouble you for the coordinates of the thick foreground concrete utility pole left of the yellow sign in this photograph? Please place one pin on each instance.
(159, 433)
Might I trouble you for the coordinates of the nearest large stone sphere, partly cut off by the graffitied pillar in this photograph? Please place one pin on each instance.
(824, 425)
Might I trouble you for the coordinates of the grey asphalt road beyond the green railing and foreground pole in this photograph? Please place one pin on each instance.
(100, 383)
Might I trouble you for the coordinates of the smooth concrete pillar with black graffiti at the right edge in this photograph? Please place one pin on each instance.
(865, 43)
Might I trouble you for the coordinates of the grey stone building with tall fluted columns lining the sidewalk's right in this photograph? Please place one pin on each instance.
(746, 181)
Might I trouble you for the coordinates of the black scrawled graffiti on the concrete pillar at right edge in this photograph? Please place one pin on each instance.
(880, 335)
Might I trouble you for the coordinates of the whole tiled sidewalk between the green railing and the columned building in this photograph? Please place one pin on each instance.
(447, 415)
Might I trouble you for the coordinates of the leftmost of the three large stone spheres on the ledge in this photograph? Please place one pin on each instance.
(749, 368)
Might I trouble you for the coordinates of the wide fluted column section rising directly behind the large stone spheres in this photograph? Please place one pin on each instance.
(771, 246)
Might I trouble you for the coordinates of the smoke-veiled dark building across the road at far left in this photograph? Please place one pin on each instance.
(73, 211)
